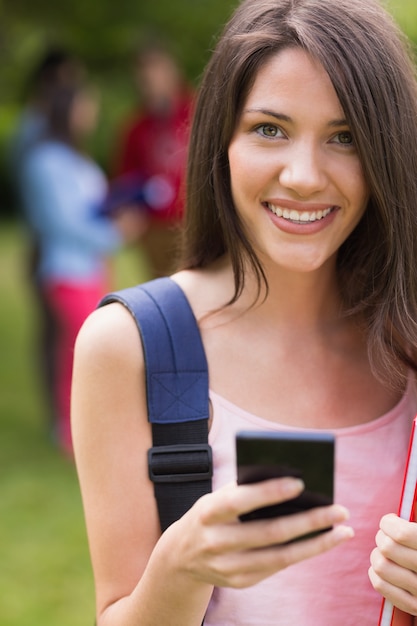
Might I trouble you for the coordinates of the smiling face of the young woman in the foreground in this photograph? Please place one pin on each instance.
(296, 178)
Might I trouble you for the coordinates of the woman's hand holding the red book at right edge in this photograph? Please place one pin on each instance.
(393, 571)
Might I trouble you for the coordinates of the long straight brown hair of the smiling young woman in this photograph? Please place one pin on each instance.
(371, 68)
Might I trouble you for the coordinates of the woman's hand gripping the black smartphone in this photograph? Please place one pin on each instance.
(213, 546)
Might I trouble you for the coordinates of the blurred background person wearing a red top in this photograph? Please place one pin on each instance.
(152, 150)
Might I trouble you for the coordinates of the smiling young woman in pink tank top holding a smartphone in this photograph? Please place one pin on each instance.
(299, 266)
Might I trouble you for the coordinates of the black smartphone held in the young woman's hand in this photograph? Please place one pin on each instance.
(309, 456)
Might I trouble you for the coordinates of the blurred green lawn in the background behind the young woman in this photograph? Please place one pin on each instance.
(45, 574)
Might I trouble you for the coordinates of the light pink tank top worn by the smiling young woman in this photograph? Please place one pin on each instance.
(333, 588)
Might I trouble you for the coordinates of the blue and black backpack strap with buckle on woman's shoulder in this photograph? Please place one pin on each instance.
(180, 462)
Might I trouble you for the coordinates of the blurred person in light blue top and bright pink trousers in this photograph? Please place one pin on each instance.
(62, 189)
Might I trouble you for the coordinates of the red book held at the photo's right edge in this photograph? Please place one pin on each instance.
(391, 616)
